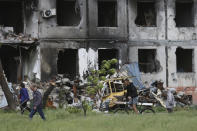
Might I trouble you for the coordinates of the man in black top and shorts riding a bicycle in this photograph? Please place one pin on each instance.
(131, 95)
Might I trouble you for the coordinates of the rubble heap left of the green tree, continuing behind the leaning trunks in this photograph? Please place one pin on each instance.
(60, 92)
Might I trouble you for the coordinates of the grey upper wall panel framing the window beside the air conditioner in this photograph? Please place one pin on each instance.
(50, 29)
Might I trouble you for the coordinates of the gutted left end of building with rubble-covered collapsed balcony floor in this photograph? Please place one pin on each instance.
(17, 39)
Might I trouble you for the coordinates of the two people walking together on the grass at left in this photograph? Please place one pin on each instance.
(36, 101)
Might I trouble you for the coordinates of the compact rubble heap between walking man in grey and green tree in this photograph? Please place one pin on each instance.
(62, 91)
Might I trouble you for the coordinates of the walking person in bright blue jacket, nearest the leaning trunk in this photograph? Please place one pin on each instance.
(24, 98)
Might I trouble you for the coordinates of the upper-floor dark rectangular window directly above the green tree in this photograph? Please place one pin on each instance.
(107, 13)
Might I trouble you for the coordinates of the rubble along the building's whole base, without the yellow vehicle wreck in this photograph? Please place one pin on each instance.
(71, 93)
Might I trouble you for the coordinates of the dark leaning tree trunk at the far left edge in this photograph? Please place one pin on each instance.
(6, 90)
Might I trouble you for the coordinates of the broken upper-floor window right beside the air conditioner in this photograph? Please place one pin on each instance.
(68, 13)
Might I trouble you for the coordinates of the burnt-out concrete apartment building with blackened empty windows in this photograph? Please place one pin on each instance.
(70, 36)
